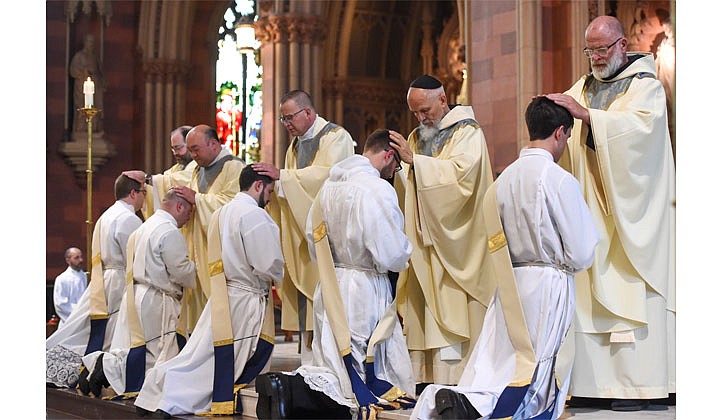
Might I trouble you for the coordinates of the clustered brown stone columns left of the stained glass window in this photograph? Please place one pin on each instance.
(164, 47)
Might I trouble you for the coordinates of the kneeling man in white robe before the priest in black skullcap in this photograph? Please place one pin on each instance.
(357, 211)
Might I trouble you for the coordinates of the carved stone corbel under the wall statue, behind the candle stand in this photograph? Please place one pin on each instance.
(74, 153)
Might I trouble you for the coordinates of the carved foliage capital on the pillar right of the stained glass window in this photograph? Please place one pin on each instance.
(303, 29)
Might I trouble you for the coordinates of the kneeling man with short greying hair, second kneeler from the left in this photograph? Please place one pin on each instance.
(158, 269)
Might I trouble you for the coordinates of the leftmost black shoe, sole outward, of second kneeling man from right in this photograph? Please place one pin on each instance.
(274, 400)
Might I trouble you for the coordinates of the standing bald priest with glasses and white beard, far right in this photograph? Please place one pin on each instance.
(620, 152)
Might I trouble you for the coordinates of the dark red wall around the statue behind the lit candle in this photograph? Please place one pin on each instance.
(65, 194)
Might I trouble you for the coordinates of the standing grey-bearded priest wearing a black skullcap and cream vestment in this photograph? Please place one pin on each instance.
(444, 294)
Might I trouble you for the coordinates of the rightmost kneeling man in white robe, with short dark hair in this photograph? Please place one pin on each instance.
(514, 370)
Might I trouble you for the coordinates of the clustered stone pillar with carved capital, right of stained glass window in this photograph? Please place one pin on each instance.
(289, 46)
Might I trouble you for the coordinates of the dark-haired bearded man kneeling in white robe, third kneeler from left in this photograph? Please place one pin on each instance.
(249, 242)
